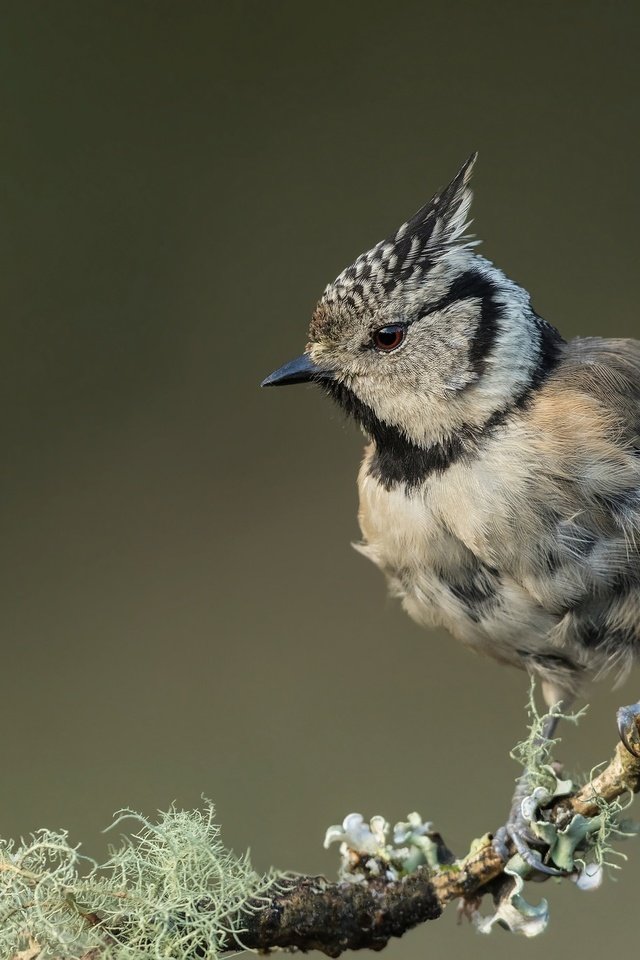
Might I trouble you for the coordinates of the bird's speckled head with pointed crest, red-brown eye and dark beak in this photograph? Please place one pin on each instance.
(414, 337)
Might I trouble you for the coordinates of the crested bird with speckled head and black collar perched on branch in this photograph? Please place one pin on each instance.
(499, 490)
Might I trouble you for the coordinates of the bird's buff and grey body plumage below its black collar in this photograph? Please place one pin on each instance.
(537, 534)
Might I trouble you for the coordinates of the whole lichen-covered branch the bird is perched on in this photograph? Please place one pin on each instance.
(174, 890)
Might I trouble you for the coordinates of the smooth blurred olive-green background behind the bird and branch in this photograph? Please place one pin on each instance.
(182, 613)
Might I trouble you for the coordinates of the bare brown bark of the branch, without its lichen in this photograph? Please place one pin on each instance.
(313, 914)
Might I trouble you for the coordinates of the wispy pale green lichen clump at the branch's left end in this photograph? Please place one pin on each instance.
(169, 890)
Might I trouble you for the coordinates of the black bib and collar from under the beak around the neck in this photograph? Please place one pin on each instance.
(399, 460)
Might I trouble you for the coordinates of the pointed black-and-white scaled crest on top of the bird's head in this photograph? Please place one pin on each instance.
(404, 258)
